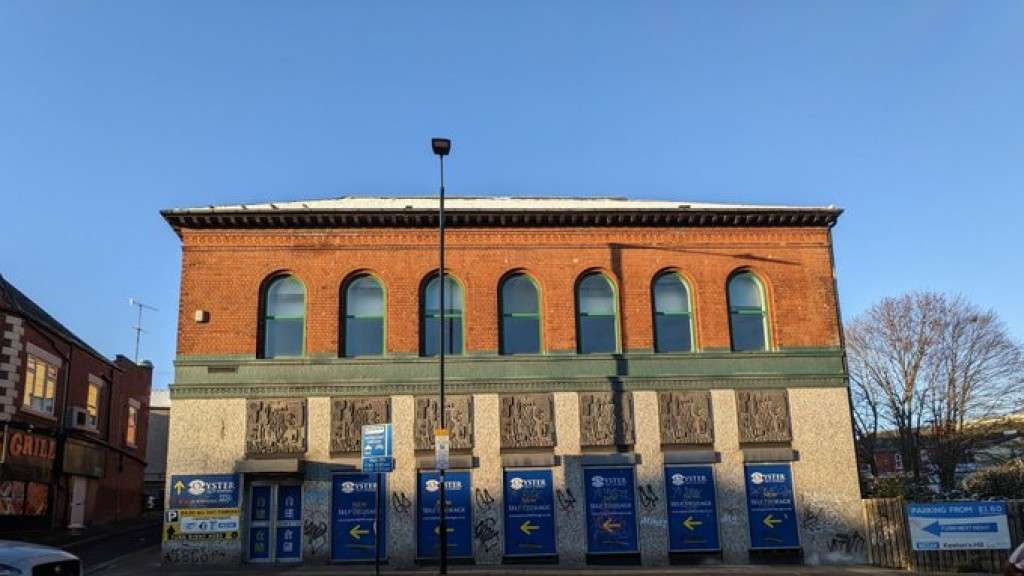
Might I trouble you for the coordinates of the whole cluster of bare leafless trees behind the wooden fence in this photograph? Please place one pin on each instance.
(935, 371)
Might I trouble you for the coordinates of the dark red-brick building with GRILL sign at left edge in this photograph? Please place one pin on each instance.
(74, 425)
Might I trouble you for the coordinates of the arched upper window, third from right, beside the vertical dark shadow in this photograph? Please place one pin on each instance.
(598, 327)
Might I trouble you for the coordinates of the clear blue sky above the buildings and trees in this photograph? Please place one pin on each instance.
(909, 115)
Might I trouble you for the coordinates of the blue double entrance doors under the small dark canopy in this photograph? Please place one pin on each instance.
(275, 522)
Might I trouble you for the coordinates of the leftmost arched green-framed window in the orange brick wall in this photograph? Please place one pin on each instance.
(284, 318)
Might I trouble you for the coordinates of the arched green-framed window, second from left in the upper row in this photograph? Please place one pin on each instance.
(364, 317)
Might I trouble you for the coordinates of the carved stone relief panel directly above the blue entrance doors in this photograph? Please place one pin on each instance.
(276, 428)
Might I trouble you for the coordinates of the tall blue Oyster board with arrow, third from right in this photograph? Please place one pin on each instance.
(612, 515)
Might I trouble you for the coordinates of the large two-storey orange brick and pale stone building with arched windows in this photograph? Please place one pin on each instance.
(643, 372)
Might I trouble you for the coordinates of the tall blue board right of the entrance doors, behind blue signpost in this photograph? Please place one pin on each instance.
(354, 512)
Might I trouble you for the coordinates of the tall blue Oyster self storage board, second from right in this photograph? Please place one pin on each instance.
(693, 513)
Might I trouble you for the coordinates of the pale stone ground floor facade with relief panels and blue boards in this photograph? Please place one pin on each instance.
(295, 459)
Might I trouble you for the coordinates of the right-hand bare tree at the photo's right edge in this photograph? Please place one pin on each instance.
(976, 375)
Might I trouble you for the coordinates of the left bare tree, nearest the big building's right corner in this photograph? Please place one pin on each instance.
(888, 347)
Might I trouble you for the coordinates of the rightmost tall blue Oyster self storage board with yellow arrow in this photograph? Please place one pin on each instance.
(772, 508)
